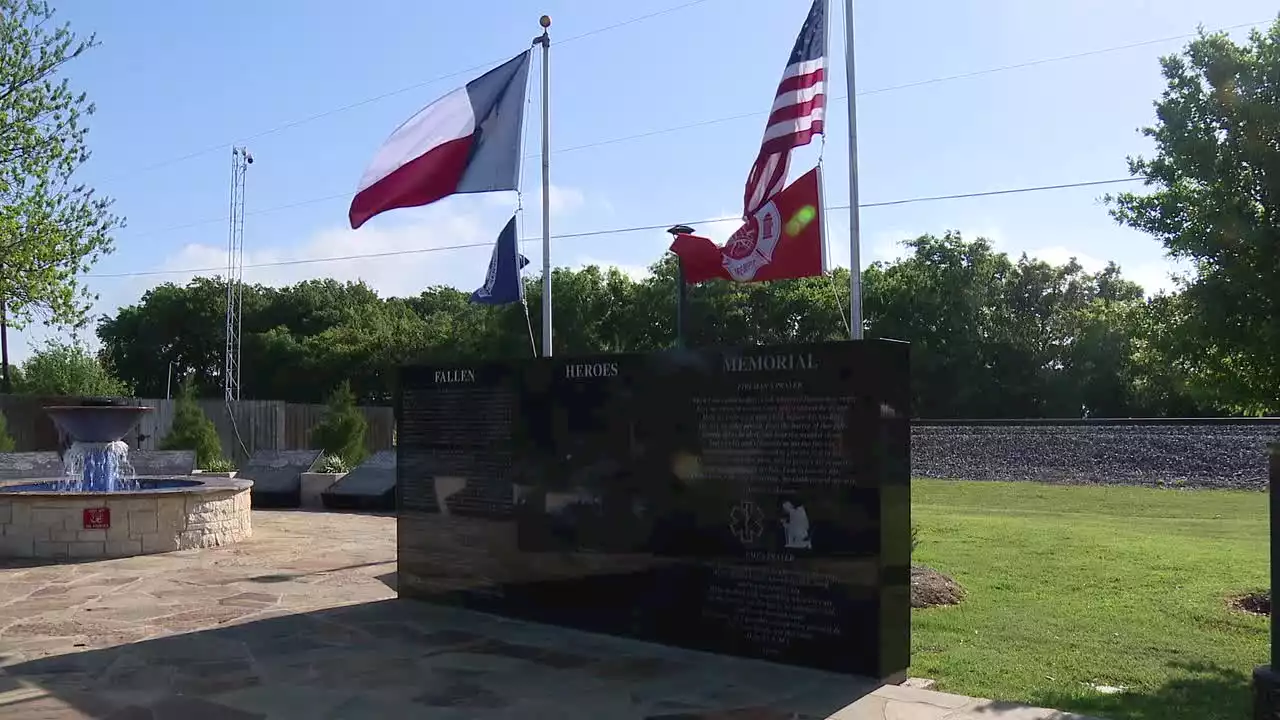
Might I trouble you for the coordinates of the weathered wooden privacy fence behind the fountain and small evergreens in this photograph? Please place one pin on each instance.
(259, 425)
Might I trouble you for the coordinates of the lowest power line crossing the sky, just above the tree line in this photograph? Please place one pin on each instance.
(612, 231)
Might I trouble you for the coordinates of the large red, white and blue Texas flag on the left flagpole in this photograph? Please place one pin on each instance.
(468, 142)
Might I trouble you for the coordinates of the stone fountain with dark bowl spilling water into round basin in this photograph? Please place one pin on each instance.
(99, 508)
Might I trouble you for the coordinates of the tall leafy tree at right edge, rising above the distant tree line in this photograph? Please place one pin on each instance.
(1217, 203)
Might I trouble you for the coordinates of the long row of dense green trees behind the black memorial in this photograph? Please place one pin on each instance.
(991, 336)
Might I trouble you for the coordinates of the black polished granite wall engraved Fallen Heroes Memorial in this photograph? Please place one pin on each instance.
(743, 502)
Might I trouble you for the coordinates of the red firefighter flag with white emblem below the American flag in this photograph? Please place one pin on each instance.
(781, 240)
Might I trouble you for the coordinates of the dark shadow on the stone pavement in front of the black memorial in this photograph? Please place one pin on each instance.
(403, 659)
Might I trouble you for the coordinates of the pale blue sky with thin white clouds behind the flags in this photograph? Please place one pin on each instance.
(314, 86)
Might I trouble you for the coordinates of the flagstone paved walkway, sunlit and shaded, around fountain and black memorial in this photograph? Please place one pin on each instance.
(303, 622)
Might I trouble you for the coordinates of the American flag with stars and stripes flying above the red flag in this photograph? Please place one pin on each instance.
(797, 115)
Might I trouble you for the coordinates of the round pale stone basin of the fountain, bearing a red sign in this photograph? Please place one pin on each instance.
(51, 525)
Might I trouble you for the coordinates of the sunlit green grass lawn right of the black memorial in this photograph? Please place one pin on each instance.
(1078, 586)
